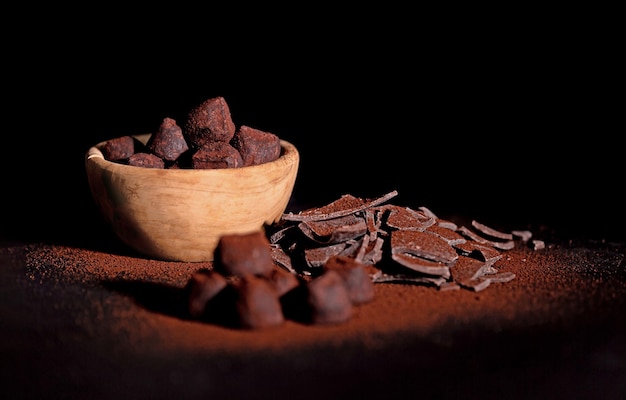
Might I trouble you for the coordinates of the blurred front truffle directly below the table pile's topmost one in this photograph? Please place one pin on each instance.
(257, 303)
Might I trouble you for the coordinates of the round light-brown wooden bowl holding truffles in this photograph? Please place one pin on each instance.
(180, 214)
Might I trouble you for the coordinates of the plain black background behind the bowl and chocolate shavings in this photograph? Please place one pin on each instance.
(514, 125)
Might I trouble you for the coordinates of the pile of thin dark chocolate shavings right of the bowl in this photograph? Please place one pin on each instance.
(396, 243)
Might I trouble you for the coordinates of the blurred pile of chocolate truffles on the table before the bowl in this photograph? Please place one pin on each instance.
(246, 289)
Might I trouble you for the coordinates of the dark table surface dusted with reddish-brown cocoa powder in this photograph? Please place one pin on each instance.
(91, 319)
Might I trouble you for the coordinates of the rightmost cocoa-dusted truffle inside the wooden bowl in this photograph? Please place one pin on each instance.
(256, 146)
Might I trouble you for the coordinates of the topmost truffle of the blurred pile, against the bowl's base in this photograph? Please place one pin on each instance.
(244, 254)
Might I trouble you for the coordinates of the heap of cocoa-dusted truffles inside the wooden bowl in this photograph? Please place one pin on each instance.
(207, 139)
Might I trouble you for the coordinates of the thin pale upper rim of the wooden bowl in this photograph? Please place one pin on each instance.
(289, 155)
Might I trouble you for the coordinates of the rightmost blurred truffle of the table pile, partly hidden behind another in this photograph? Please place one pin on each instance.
(360, 286)
